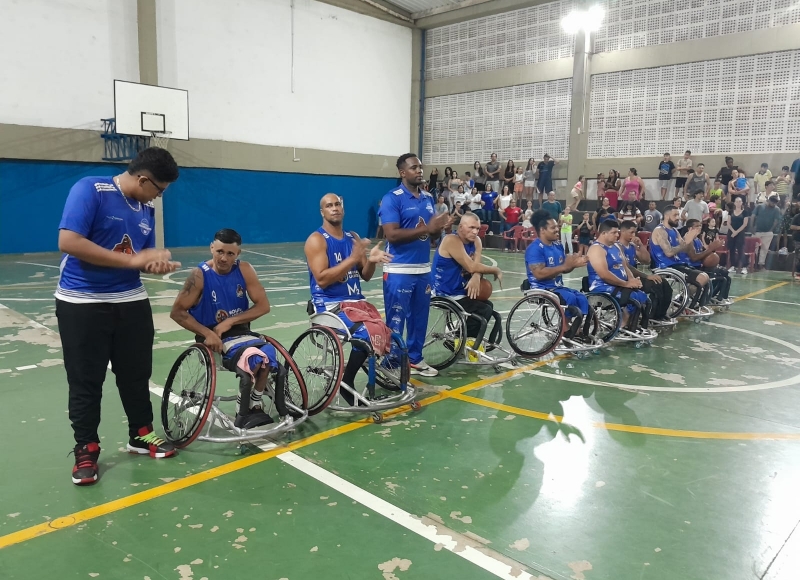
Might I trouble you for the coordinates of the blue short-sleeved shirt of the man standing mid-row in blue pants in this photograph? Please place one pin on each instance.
(403, 208)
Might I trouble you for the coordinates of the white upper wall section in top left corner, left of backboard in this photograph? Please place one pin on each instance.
(59, 59)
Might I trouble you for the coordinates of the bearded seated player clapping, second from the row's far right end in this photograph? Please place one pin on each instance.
(666, 246)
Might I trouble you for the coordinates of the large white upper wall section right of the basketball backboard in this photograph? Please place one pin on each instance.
(351, 75)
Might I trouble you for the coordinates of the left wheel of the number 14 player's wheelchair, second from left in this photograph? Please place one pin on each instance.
(319, 357)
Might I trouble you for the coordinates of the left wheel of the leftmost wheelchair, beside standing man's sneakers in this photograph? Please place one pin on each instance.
(188, 395)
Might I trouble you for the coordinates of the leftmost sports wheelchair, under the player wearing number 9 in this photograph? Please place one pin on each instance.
(190, 404)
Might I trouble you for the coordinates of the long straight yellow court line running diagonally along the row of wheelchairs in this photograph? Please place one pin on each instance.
(177, 485)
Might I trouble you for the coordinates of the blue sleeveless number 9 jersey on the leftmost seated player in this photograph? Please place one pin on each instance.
(223, 296)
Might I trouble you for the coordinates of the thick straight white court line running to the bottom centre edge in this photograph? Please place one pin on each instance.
(403, 518)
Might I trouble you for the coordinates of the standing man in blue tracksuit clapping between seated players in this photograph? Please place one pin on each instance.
(409, 224)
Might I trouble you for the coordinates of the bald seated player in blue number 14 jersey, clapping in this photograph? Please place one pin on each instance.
(337, 261)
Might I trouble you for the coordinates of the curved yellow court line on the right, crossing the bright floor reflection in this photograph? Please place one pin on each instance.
(634, 428)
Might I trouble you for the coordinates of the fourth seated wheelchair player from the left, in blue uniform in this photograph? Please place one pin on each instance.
(545, 262)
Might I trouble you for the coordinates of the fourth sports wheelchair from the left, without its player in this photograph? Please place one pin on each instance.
(537, 325)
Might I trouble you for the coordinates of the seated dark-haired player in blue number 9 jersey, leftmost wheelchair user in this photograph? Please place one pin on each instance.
(214, 304)
